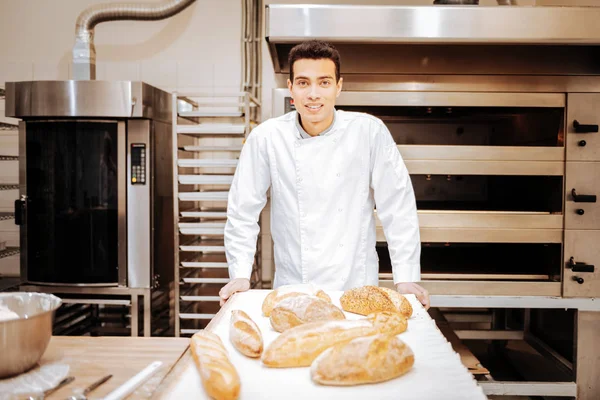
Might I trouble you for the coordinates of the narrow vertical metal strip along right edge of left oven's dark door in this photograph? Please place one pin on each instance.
(122, 203)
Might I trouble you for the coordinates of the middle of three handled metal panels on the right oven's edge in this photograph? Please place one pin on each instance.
(584, 177)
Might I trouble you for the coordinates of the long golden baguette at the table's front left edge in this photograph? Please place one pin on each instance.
(218, 375)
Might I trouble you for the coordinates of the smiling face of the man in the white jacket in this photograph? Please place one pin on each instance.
(314, 91)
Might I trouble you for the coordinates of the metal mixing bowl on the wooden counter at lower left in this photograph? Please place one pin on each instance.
(23, 341)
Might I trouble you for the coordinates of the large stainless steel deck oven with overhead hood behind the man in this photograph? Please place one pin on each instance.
(495, 111)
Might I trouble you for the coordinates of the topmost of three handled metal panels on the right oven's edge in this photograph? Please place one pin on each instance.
(585, 109)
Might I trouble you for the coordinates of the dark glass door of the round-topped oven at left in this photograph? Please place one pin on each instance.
(73, 199)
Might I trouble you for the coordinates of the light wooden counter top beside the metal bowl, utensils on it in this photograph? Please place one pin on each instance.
(91, 358)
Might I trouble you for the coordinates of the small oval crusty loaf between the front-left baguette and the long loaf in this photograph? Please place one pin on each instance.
(245, 334)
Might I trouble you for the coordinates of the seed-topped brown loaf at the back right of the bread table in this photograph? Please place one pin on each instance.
(365, 300)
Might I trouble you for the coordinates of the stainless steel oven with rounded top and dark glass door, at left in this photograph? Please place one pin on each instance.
(96, 183)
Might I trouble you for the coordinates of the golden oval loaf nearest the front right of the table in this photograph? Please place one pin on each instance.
(363, 360)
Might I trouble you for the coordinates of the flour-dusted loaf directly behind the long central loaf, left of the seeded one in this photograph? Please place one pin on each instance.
(298, 310)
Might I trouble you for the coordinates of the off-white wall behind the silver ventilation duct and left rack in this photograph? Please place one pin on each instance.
(198, 50)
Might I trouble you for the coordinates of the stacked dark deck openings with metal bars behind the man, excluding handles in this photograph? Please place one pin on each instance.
(488, 171)
